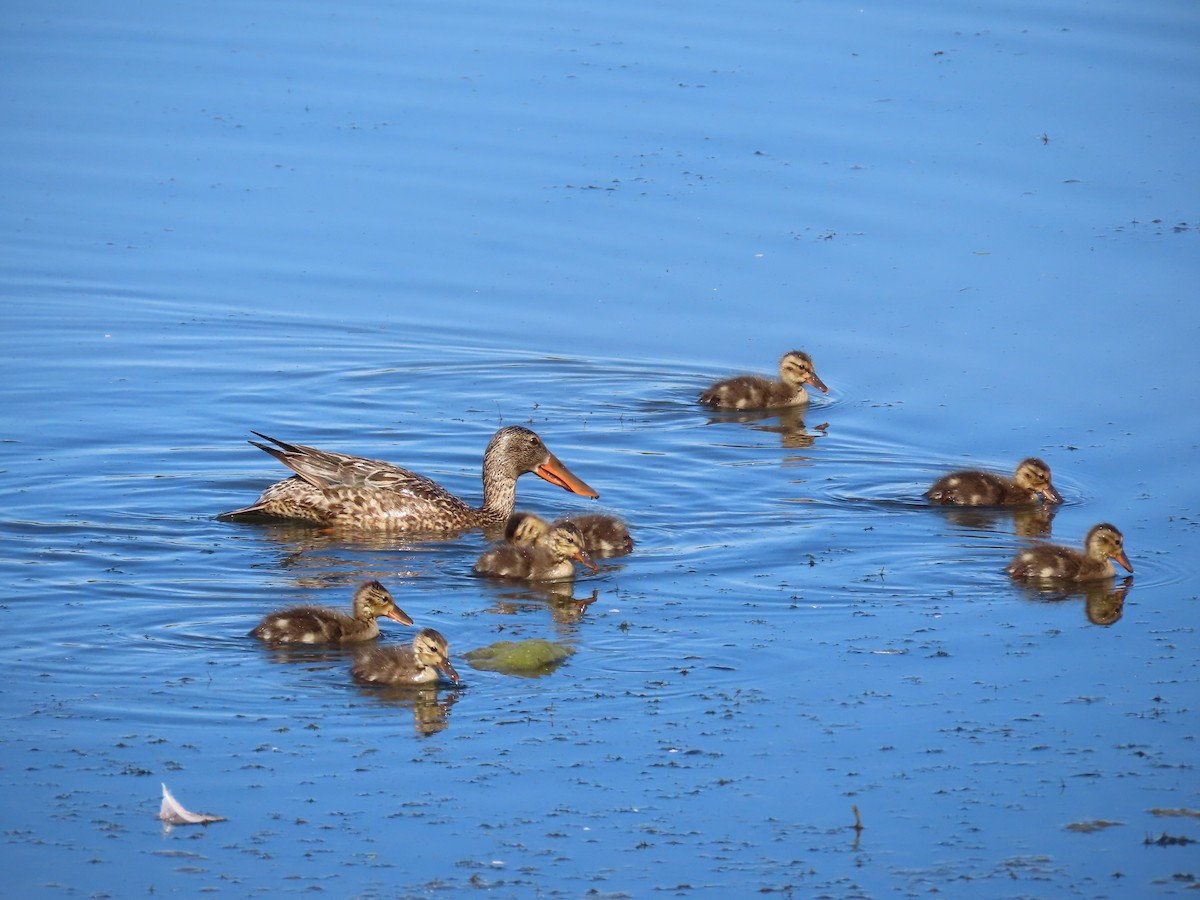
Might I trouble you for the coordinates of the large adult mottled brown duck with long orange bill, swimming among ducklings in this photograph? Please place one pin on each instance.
(334, 489)
